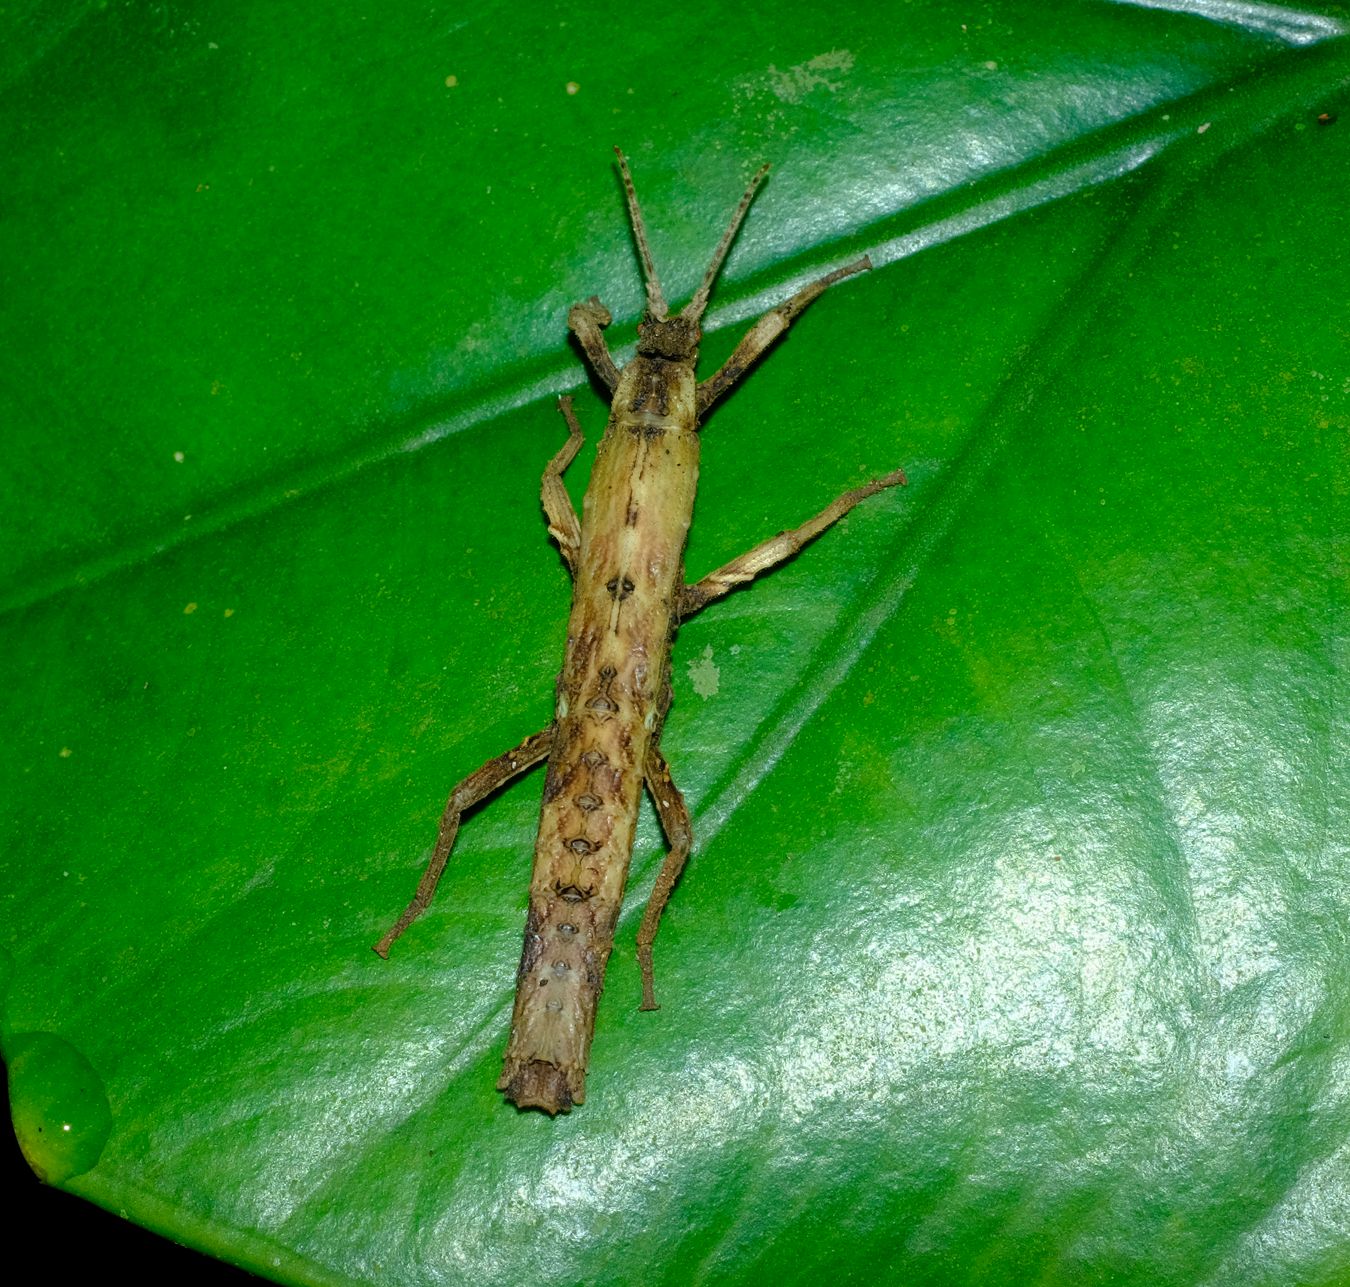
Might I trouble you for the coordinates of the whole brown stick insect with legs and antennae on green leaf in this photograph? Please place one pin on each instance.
(630, 595)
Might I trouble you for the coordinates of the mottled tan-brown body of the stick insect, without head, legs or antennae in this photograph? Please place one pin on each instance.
(635, 521)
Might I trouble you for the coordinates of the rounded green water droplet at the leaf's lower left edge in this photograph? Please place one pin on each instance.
(60, 1108)
